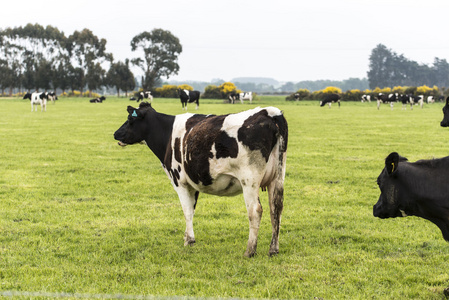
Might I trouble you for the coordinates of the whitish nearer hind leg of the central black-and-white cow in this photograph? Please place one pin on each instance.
(255, 210)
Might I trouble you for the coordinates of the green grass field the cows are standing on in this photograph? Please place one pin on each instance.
(81, 215)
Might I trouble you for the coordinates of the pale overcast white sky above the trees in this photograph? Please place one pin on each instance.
(292, 40)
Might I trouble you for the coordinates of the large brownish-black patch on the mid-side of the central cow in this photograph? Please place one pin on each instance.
(202, 132)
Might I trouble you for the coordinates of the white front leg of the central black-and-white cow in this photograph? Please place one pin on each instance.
(188, 200)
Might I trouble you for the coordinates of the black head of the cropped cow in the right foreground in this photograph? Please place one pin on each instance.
(392, 192)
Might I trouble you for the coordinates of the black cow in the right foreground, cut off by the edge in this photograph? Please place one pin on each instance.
(415, 189)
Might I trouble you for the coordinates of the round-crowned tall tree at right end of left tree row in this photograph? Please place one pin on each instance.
(161, 50)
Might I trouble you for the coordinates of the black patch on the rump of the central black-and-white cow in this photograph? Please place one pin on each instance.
(259, 132)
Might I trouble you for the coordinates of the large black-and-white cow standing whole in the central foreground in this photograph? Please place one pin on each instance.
(220, 155)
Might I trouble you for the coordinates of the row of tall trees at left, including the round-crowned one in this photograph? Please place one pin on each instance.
(34, 57)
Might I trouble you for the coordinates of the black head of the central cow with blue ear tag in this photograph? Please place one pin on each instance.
(133, 130)
